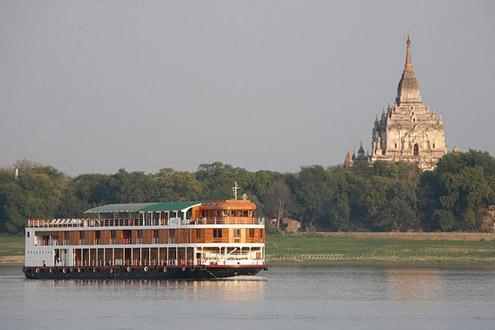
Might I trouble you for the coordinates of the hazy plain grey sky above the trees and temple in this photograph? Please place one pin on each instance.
(94, 86)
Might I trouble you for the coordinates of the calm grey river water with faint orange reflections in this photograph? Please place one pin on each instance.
(282, 298)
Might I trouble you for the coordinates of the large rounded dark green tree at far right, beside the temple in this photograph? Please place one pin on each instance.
(455, 195)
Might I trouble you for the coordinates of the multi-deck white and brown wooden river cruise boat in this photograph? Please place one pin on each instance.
(168, 240)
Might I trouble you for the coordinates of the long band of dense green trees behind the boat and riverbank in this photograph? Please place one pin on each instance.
(456, 196)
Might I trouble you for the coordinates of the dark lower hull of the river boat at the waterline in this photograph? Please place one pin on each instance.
(148, 273)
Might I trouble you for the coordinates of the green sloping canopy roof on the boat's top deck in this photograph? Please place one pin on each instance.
(143, 207)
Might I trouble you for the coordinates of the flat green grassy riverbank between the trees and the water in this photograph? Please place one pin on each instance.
(350, 248)
